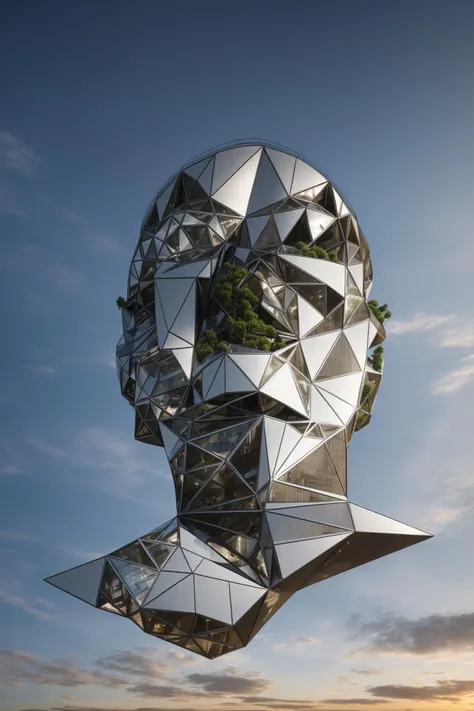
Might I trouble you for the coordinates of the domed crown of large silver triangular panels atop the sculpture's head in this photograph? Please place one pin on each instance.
(243, 181)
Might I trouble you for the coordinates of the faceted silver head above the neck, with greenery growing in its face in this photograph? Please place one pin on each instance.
(304, 258)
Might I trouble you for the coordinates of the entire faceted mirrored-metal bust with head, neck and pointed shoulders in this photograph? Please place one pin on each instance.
(246, 354)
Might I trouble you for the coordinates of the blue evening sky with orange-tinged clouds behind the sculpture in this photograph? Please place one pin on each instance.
(101, 102)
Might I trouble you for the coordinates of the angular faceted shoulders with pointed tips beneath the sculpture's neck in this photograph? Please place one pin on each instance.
(176, 587)
